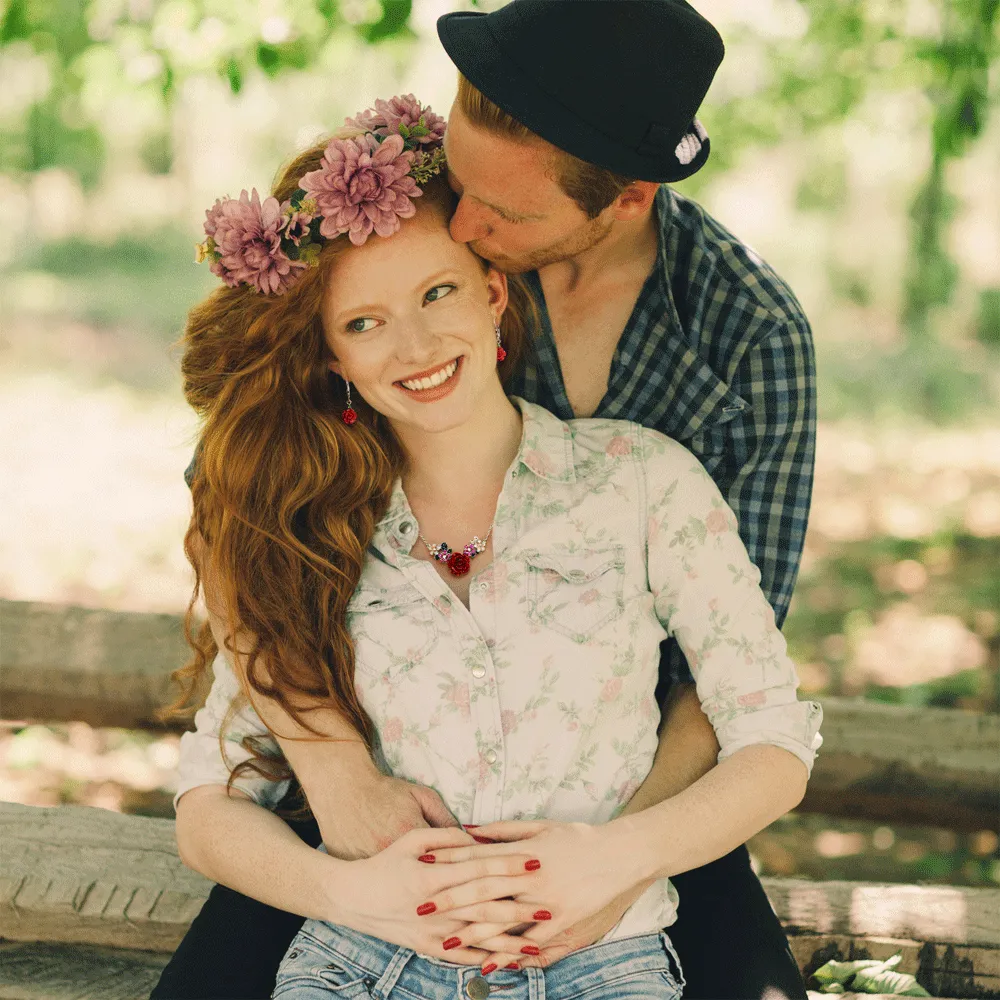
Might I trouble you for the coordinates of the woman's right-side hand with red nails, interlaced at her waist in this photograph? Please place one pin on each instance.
(587, 878)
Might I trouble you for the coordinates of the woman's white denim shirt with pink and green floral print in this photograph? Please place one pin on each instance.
(537, 701)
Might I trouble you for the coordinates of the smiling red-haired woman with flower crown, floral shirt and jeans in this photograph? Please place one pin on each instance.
(521, 691)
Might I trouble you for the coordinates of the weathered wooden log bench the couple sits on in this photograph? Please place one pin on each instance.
(92, 903)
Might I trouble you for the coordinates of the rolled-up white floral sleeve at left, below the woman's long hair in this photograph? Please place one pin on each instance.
(201, 755)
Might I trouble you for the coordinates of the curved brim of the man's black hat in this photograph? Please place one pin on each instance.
(466, 37)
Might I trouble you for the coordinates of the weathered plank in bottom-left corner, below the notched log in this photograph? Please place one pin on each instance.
(41, 971)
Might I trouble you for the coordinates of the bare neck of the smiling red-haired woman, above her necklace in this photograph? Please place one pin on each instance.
(467, 459)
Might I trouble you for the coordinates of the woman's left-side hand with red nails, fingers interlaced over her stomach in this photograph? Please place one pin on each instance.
(403, 895)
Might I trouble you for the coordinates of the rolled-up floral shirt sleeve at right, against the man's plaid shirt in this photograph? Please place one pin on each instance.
(707, 595)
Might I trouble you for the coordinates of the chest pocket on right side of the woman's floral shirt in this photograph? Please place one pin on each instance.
(575, 593)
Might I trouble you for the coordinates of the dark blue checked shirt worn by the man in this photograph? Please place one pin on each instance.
(717, 355)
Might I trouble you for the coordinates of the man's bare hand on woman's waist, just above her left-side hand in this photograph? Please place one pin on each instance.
(365, 817)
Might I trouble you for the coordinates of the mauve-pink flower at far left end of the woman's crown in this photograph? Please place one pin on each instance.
(247, 238)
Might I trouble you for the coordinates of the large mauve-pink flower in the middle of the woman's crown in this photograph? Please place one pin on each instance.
(363, 186)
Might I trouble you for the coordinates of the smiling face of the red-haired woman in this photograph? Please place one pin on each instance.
(410, 320)
